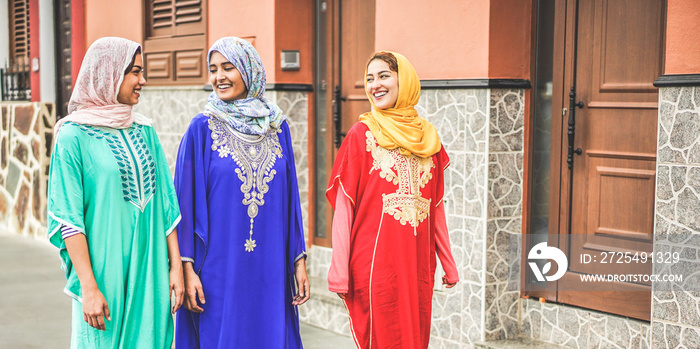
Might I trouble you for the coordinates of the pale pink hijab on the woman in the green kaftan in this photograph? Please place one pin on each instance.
(94, 98)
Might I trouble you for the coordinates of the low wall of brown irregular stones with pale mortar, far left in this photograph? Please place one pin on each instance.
(25, 149)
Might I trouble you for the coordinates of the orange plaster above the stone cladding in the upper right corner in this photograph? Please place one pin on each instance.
(682, 44)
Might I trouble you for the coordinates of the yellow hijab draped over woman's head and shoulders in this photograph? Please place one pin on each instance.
(401, 127)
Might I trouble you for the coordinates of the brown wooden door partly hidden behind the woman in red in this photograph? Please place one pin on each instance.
(345, 39)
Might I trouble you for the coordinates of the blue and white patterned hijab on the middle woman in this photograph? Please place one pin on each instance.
(255, 114)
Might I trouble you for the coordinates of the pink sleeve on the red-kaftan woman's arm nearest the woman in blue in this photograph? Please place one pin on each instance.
(342, 223)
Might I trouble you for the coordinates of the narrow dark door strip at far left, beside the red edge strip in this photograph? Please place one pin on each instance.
(64, 82)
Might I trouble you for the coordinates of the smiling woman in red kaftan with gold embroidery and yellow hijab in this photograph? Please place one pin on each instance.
(387, 188)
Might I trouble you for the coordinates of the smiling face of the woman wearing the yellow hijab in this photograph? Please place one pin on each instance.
(382, 84)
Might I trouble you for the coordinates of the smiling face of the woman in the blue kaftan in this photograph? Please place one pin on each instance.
(225, 78)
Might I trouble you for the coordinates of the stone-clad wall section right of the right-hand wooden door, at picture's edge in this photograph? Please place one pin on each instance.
(676, 306)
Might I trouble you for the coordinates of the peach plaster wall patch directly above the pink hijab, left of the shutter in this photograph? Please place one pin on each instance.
(122, 18)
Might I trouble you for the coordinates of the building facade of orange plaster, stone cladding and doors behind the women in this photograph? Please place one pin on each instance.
(570, 122)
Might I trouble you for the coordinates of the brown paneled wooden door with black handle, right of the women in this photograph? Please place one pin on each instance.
(607, 196)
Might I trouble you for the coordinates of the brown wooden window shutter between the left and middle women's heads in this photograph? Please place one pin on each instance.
(175, 41)
